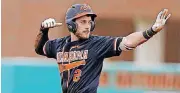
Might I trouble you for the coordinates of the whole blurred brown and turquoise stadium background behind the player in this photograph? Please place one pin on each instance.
(153, 67)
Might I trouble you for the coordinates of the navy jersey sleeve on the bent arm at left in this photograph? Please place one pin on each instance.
(50, 48)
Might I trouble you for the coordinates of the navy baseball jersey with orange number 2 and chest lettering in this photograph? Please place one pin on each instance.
(80, 62)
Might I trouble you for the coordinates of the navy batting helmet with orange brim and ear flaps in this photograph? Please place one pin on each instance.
(76, 11)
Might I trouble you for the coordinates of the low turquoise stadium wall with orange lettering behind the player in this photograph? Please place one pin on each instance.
(37, 75)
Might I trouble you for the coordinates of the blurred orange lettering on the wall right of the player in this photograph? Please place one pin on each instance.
(143, 80)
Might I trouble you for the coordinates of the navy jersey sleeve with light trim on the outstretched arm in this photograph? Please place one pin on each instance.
(109, 46)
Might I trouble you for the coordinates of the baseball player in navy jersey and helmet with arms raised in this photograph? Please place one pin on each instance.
(80, 56)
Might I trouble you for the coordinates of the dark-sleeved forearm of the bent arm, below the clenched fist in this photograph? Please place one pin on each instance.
(41, 39)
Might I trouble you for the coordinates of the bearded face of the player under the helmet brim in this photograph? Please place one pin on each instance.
(84, 26)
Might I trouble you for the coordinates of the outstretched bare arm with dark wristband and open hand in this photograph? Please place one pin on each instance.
(133, 40)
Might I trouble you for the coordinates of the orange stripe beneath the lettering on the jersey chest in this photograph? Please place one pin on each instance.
(64, 67)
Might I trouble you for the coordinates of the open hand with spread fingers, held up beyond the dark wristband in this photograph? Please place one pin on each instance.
(161, 20)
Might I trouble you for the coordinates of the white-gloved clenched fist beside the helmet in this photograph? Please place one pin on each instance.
(48, 23)
